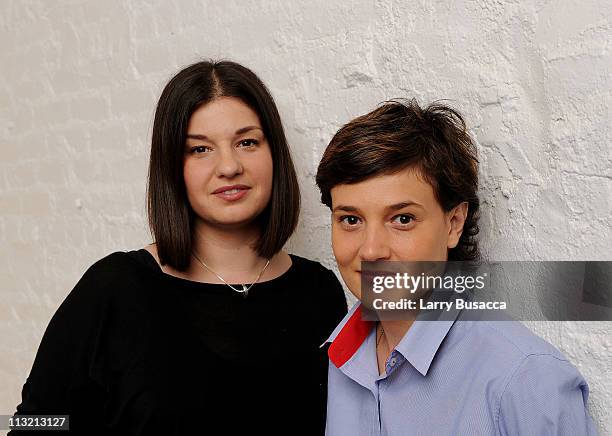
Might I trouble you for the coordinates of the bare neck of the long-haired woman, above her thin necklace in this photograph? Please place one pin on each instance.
(227, 250)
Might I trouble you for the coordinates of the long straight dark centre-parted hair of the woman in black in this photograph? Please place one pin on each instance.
(171, 218)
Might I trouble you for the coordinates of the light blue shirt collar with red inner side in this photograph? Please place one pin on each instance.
(419, 346)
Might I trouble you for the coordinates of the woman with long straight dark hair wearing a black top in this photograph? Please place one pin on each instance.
(213, 328)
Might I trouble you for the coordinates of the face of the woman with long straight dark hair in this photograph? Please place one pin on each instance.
(228, 164)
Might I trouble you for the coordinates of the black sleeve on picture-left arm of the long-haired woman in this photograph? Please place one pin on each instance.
(67, 376)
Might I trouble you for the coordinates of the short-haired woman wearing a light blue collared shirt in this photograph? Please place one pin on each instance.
(401, 183)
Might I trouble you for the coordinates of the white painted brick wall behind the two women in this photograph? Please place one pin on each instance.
(78, 85)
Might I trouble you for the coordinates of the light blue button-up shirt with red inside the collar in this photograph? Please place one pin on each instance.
(453, 377)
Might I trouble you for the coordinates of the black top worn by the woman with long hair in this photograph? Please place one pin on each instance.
(135, 351)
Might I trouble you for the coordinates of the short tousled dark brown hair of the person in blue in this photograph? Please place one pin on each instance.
(400, 134)
